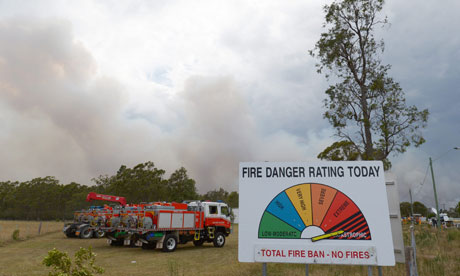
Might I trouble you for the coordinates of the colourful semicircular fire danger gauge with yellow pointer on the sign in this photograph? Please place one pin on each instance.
(313, 211)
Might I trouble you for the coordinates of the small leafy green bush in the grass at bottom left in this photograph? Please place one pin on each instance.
(62, 264)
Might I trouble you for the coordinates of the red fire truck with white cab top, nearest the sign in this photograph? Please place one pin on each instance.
(163, 225)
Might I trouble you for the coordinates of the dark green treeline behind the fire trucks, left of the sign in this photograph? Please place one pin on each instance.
(45, 198)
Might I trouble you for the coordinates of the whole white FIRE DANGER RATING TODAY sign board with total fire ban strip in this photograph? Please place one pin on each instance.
(315, 212)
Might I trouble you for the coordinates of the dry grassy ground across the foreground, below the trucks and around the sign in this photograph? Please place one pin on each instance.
(438, 254)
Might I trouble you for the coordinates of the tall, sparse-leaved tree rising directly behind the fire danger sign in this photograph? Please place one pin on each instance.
(366, 107)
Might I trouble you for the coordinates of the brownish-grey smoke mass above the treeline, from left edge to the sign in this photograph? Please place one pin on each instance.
(60, 117)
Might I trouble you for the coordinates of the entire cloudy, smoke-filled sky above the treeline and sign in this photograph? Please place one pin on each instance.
(88, 86)
